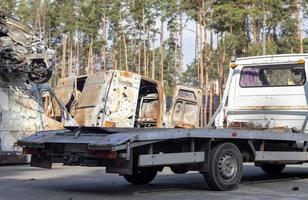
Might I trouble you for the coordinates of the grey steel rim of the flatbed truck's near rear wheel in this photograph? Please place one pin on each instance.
(227, 167)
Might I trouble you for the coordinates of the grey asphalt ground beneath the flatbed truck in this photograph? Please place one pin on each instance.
(72, 183)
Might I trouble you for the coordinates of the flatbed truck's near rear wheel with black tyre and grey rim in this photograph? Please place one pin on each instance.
(225, 167)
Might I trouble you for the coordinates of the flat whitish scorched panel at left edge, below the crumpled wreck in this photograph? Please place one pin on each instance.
(21, 110)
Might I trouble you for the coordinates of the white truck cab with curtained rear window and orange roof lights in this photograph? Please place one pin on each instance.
(266, 92)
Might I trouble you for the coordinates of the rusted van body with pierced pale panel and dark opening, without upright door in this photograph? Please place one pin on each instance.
(120, 99)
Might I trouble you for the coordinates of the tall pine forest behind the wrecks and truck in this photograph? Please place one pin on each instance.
(146, 36)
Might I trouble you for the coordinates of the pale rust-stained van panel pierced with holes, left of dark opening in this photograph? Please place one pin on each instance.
(109, 99)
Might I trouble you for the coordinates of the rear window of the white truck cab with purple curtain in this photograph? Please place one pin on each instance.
(273, 76)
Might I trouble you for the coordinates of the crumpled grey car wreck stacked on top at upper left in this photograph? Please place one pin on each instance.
(22, 51)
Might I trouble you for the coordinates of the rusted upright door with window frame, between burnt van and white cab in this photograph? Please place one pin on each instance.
(186, 107)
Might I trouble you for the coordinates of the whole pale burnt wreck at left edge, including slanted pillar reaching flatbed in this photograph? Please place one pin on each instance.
(22, 113)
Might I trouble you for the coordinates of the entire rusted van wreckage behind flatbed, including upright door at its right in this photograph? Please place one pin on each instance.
(117, 98)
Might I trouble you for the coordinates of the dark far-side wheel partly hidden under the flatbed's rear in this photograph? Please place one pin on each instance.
(141, 176)
